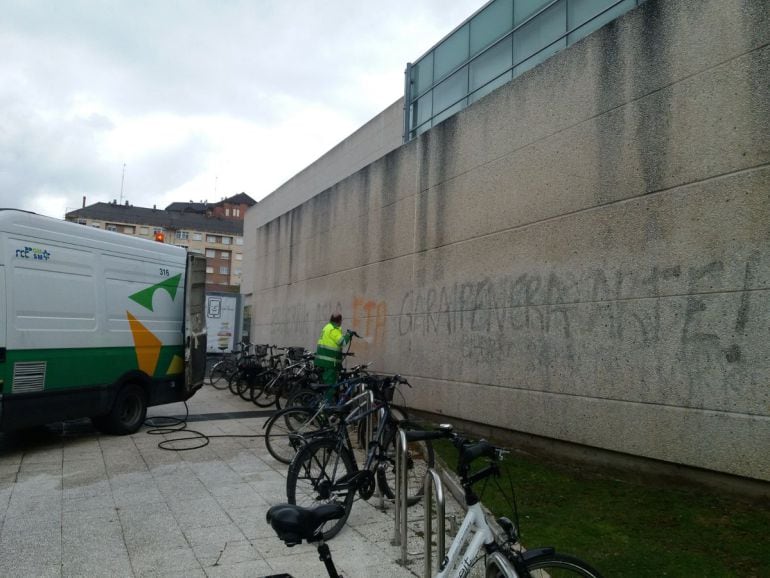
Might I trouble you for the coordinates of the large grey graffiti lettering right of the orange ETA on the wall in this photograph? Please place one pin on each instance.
(663, 327)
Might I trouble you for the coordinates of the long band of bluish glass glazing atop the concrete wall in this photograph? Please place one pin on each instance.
(498, 43)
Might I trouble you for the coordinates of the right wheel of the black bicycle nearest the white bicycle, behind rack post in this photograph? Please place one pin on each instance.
(419, 458)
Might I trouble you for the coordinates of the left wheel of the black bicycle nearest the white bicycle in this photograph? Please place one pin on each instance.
(318, 475)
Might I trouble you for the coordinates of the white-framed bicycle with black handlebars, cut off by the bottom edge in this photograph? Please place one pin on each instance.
(475, 540)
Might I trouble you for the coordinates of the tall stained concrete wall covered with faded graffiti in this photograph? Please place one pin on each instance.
(582, 255)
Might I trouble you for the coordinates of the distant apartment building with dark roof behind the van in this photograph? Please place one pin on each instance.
(212, 229)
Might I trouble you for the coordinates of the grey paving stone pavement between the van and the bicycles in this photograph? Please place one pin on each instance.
(74, 502)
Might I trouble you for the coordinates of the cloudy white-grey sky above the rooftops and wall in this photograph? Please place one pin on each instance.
(199, 99)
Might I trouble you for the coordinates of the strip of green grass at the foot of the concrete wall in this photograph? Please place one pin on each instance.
(629, 529)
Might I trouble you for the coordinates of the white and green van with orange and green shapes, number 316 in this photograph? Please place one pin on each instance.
(95, 324)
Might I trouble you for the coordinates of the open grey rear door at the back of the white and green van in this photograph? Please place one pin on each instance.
(195, 323)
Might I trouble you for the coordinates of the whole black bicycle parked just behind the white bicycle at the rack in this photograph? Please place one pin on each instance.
(325, 468)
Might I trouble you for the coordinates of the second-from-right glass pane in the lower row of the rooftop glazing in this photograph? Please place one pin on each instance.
(541, 34)
